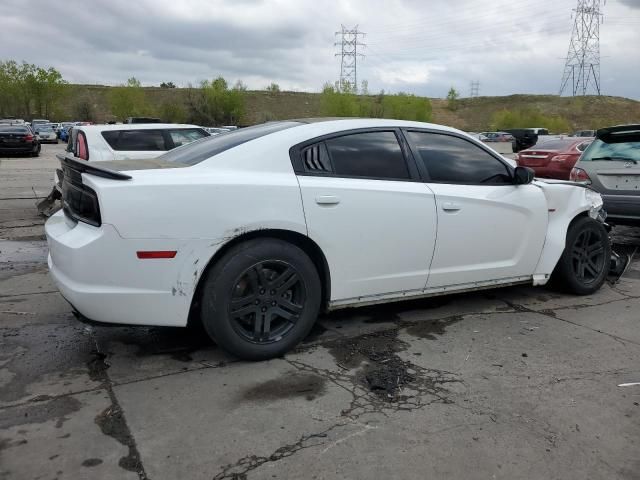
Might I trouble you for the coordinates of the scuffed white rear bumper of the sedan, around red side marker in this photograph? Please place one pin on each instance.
(99, 273)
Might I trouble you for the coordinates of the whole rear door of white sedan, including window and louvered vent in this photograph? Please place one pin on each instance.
(368, 211)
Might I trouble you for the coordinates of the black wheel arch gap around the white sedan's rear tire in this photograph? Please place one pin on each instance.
(305, 243)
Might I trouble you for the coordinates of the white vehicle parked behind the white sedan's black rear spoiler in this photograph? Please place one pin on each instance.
(123, 142)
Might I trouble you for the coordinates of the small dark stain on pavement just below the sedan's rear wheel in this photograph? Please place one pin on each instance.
(307, 385)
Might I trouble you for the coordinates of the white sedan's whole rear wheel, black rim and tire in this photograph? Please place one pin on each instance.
(261, 299)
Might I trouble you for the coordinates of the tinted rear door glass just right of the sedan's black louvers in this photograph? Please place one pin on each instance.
(372, 155)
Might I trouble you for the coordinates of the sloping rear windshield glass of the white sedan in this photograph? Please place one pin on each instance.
(207, 147)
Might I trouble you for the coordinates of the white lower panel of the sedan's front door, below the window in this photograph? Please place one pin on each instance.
(494, 232)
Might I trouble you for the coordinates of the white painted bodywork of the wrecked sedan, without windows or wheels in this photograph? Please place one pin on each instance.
(383, 241)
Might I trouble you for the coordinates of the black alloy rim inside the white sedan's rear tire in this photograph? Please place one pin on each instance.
(266, 301)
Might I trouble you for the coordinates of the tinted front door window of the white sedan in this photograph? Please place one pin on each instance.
(455, 160)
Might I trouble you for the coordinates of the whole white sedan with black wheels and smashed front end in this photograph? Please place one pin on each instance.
(255, 231)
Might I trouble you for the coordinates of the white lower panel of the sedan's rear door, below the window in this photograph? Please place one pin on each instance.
(378, 239)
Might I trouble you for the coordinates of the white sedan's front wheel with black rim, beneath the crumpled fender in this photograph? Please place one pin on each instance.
(585, 262)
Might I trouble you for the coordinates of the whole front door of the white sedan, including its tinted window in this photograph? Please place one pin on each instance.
(488, 228)
